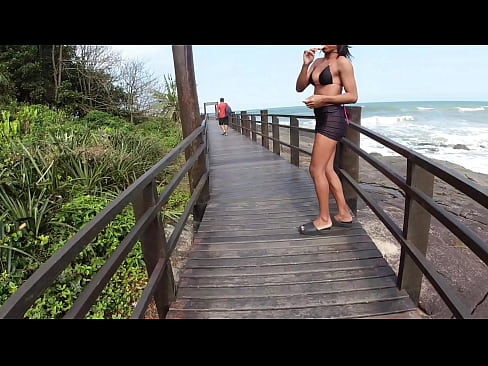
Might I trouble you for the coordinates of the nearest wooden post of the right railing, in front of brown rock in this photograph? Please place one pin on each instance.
(416, 227)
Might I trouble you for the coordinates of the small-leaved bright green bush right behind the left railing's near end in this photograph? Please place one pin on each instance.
(118, 298)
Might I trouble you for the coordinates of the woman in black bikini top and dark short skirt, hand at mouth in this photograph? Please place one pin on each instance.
(335, 85)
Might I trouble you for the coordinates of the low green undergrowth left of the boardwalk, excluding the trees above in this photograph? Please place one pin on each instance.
(56, 178)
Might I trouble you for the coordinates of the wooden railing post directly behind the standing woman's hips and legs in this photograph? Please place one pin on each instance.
(349, 160)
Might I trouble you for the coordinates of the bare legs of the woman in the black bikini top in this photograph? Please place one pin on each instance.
(325, 179)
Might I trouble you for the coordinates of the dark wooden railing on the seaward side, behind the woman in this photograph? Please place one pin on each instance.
(418, 187)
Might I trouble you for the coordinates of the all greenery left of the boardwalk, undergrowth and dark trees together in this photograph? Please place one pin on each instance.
(62, 160)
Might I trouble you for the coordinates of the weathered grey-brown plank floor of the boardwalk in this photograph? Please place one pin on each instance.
(249, 261)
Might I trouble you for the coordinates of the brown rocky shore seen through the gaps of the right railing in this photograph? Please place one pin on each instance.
(451, 258)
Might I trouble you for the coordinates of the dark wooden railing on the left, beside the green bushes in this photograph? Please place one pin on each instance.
(148, 206)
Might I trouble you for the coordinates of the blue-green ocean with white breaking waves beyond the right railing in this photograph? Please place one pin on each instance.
(453, 131)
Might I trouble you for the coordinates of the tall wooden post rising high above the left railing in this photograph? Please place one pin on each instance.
(190, 120)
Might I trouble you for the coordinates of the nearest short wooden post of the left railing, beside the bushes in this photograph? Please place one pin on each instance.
(154, 247)
